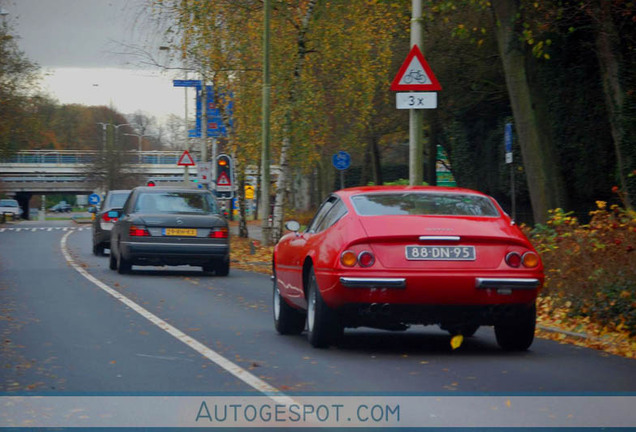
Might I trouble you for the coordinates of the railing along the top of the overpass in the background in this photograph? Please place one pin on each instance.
(153, 157)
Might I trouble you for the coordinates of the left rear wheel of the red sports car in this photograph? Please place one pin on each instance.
(323, 325)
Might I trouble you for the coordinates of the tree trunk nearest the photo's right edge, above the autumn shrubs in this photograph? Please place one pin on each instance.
(608, 53)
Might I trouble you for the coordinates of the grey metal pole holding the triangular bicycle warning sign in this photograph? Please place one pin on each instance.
(416, 170)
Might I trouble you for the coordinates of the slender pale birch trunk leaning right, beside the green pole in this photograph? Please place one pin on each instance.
(283, 178)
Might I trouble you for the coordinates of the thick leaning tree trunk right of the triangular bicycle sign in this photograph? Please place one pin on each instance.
(544, 178)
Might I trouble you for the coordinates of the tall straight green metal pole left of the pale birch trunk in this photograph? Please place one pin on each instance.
(265, 156)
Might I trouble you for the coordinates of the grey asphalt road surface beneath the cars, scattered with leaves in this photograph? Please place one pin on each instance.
(63, 332)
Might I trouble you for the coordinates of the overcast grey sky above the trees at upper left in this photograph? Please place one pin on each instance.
(76, 43)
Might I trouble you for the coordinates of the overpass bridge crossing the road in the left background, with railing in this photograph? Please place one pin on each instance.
(45, 172)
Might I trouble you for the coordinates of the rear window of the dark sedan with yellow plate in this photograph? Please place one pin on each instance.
(175, 202)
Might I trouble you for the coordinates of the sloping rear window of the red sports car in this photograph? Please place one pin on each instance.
(423, 203)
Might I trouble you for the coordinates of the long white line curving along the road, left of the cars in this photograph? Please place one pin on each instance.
(245, 376)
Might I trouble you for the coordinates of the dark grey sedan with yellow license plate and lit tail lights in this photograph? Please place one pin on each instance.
(170, 226)
